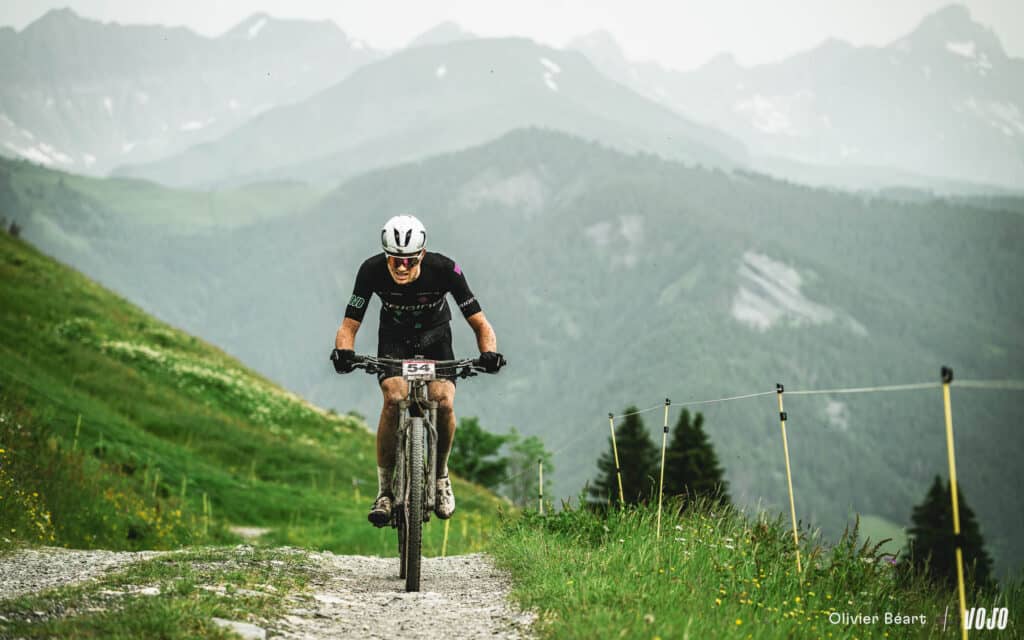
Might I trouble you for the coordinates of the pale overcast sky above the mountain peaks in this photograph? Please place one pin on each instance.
(681, 34)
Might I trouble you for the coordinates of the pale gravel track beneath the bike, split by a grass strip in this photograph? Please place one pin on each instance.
(348, 596)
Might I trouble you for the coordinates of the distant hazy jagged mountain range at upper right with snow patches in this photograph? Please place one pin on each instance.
(944, 102)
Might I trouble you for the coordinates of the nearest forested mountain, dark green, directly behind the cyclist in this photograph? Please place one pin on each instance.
(614, 280)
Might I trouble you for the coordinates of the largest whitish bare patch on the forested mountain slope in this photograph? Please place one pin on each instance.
(771, 294)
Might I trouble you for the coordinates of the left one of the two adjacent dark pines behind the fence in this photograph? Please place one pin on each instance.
(638, 459)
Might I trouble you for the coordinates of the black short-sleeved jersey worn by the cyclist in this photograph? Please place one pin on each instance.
(420, 306)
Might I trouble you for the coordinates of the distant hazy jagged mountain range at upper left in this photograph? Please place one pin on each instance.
(86, 97)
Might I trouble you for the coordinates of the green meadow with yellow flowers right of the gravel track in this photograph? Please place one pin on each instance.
(717, 573)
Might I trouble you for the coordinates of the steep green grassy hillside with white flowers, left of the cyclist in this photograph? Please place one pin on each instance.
(118, 432)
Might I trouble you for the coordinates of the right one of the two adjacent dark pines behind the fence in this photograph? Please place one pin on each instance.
(692, 467)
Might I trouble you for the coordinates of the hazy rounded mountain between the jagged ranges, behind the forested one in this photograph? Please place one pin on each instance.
(440, 99)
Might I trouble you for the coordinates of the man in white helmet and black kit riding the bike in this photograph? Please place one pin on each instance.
(412, 283)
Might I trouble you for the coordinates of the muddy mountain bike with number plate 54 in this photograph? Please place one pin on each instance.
(416, 455)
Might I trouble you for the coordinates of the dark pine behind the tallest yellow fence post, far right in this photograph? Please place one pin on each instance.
(932, 546)
